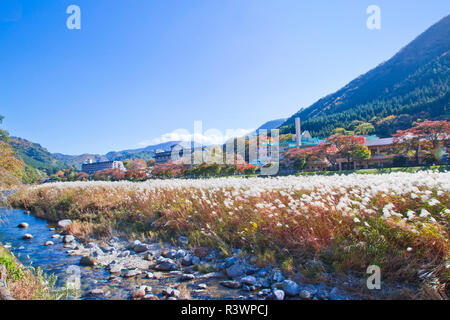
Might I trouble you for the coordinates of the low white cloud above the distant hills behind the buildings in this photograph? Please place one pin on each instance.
(209, 137)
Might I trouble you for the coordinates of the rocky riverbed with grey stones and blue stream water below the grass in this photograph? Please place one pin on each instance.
(120, 269)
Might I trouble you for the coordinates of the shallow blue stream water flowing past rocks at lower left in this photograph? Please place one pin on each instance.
(55, 260)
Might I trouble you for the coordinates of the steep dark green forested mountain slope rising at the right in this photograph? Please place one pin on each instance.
(412, 84)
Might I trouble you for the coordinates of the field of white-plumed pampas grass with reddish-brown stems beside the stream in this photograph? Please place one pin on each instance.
(397, 221)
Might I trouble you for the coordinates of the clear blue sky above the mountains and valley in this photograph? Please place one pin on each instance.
(138, 69)
